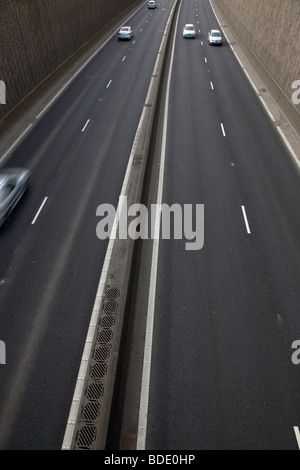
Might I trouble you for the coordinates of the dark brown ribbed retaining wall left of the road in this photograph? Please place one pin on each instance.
(37, 36)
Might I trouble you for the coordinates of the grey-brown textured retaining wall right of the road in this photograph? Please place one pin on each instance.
(271, 31)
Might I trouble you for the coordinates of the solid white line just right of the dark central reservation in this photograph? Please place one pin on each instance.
(145, 386)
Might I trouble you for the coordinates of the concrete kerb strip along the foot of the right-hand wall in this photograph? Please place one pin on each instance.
(284, 115)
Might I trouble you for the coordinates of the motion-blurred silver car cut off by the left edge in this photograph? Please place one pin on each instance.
(13, 184)
